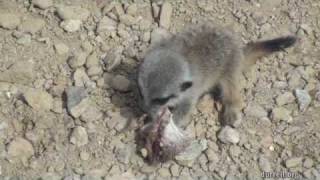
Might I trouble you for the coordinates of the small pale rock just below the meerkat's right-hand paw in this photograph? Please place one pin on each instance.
(229, 135)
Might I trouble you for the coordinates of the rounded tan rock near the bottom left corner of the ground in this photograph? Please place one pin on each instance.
(20, 148)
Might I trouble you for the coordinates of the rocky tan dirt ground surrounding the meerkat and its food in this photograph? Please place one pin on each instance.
(68, 97)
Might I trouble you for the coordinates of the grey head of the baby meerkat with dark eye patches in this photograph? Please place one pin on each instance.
(164, 79)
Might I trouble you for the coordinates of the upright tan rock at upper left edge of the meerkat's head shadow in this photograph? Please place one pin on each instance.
(113, 58)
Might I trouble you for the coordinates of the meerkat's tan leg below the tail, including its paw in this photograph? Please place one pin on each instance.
(231, 101)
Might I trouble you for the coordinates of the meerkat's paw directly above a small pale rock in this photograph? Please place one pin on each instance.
(231, 116)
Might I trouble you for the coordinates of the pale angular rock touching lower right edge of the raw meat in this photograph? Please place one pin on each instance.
(191, 153)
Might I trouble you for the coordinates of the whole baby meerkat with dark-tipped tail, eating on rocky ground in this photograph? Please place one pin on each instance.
(177, 71)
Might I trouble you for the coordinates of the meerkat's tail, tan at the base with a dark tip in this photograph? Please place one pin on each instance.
(255, 50)
